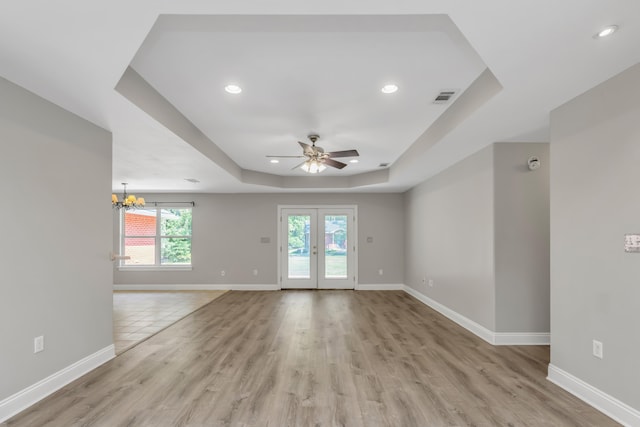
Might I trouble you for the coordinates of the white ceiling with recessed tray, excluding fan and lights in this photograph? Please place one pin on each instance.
(312, 68)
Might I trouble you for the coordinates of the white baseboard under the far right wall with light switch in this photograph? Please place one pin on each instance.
(608, 405)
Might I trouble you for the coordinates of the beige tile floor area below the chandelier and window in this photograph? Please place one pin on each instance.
(137, 315)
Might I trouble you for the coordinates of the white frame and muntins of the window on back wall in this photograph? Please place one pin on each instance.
(158, 237)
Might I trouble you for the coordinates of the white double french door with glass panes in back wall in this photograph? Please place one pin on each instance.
(317, 247)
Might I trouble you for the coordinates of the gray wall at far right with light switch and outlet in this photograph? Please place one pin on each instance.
(595, 201)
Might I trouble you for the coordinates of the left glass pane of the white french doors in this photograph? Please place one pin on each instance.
(298, 246)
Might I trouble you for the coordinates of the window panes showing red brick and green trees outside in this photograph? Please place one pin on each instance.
(156, 237)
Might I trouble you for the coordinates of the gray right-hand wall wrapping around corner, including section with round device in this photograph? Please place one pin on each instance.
(480, 231)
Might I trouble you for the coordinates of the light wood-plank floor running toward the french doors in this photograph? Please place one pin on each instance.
(316, 358)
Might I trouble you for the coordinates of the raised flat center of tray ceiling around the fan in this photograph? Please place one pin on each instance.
(307, 74)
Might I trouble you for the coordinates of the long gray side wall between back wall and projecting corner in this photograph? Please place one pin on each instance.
(449, 238)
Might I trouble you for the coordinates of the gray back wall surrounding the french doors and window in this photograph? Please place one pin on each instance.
(227, 229)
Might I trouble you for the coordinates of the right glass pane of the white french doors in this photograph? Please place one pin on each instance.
(335, 246)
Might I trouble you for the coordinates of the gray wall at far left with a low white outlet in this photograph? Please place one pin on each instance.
(56, 278)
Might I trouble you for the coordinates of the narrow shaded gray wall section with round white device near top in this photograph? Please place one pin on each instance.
(521, 238)
